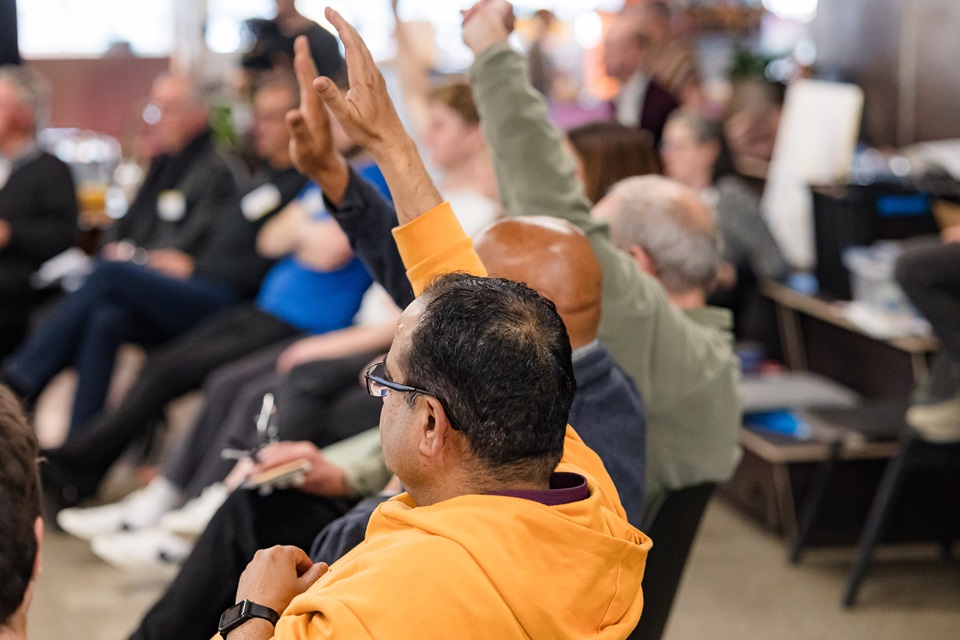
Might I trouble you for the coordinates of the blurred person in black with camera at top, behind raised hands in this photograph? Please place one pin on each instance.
(273, 43)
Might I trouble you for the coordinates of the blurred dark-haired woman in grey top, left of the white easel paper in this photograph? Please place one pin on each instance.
(695, 153)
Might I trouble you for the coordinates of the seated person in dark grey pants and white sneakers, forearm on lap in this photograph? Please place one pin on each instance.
(317, 399)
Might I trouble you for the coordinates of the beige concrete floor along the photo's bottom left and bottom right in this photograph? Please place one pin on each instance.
(738, 585)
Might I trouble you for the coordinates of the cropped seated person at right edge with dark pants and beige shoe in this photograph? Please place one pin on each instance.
(929, 274)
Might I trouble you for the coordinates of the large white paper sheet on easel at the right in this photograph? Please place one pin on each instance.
(815, 143)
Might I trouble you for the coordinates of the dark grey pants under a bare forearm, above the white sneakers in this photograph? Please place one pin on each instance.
(320, 401)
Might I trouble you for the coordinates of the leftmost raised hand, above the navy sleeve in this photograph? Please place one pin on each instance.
(311, 143)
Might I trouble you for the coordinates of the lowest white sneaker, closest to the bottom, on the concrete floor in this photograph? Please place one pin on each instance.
(144, 549)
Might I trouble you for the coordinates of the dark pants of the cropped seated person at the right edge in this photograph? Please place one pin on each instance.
(929, 272)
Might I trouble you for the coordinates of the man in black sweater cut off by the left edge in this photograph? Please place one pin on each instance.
(38, 204)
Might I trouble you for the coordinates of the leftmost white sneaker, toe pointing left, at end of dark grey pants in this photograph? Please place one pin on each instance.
(140, 509)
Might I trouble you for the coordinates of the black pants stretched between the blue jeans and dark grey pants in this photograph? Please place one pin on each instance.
(175, 369)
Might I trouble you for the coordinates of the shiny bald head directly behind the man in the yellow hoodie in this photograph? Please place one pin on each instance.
(553, 257)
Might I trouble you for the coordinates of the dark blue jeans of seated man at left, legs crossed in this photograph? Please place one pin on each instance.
(120, 302)
